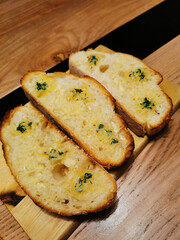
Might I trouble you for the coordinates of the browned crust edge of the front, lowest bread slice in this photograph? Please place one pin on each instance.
(106, 205)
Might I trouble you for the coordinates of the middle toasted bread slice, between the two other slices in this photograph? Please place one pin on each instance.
(85, 111)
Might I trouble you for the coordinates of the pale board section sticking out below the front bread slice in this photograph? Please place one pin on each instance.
(40, 224)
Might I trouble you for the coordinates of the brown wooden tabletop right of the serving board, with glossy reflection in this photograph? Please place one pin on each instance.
(149, 200)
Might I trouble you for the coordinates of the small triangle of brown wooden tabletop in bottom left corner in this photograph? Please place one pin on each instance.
(9, 227)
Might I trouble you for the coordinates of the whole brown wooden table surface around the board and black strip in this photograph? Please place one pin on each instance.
(40, 34)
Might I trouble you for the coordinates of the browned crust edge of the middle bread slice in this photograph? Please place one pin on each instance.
(70, 134)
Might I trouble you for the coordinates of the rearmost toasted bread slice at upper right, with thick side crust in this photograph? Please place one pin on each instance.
(139, 100)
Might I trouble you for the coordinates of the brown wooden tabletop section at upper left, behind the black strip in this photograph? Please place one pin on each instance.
(33, 33)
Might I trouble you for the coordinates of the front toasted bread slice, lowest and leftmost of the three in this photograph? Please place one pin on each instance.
(57, 174)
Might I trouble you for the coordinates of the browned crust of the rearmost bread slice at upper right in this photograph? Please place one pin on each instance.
(132, 123)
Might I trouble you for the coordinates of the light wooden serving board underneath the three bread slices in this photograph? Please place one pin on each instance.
(40, 224)
